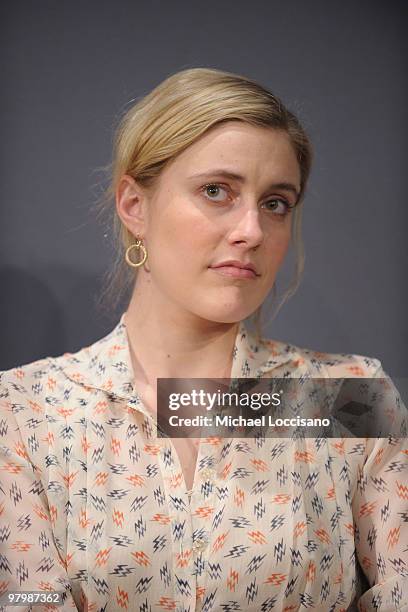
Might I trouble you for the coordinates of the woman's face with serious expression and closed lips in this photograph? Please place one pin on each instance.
(201, 216)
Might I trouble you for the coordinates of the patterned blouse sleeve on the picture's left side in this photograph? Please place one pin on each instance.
(29, 558)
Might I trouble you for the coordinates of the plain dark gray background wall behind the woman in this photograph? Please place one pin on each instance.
(69, 69)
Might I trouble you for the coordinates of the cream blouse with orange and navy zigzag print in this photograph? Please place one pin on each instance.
(94, 504)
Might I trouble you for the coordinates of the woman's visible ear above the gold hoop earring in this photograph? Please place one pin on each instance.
(131, 205)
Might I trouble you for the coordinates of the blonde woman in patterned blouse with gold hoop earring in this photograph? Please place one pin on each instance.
(209, 175)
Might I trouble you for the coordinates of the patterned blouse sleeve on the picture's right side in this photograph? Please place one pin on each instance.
(380, 512)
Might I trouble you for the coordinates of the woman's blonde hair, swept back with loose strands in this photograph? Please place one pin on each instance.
(162, 124)
